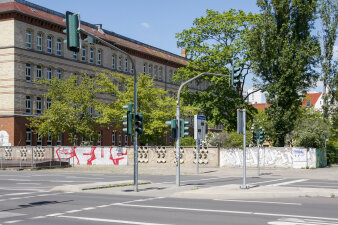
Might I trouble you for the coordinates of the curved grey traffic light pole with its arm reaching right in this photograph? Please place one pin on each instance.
(178, 132)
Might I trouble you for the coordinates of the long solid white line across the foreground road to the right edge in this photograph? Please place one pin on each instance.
(226, 211)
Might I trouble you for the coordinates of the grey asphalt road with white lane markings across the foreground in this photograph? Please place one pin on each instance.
(25, 199)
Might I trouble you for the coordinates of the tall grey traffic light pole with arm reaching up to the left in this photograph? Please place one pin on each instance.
(135, 99)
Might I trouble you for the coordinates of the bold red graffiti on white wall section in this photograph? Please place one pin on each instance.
(94, 155)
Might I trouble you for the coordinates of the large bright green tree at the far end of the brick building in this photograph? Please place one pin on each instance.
(214, 44)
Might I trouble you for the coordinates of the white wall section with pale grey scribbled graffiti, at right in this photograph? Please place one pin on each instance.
(269, 157)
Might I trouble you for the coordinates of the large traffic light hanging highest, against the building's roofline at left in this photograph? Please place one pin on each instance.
(73, 36)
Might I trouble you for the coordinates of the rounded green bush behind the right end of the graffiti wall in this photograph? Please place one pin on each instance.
(310, 130)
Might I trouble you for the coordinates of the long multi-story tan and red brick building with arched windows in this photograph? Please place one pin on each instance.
(32, 46)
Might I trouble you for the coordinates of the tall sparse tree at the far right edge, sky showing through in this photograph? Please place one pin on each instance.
(329, 18)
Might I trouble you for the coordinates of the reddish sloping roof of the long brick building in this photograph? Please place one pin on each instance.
(49, 15)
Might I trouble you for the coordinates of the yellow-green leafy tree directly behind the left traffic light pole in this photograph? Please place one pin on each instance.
(155, 104)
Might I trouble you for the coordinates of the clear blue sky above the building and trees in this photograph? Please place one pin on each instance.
(154, 22)
